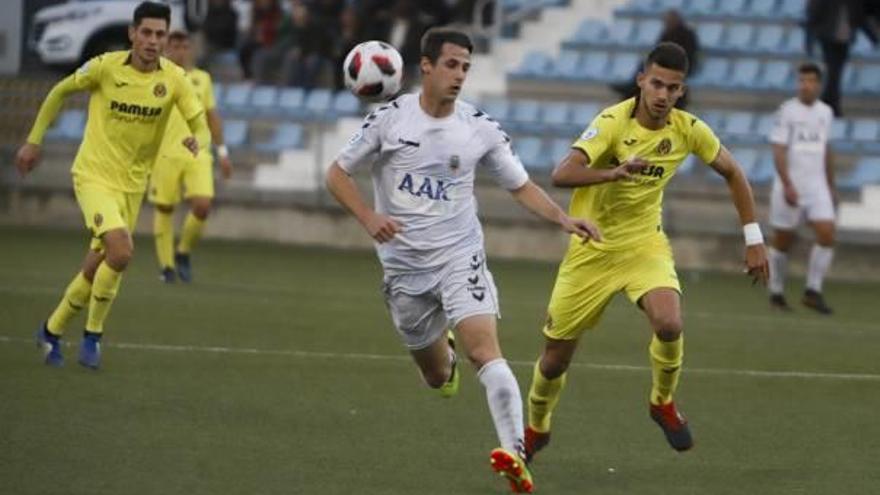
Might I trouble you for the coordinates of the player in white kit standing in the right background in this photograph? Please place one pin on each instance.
(804, 187)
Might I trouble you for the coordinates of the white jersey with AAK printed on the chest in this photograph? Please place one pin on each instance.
(423, 172)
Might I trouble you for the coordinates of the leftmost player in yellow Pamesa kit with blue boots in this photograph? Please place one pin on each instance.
(131, 95)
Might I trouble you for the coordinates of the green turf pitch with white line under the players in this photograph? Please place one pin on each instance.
(331, 404)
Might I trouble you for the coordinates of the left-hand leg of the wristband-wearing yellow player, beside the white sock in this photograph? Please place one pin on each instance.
(548, 380)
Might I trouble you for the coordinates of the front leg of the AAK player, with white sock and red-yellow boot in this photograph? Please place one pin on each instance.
(479, 341)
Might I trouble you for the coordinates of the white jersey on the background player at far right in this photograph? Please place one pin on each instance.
(805, 130)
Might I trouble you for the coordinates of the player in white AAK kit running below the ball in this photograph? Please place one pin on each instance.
(423, 150)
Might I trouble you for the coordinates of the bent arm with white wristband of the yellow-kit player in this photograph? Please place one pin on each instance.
(741, 192)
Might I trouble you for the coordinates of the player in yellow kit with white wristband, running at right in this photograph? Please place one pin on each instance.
(619, 167)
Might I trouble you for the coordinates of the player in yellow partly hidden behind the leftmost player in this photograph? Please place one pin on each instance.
(176, 167)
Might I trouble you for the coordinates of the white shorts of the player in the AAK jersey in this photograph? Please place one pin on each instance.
(424, 305)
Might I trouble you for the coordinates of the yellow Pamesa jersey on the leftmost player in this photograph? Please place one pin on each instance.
(128, 112)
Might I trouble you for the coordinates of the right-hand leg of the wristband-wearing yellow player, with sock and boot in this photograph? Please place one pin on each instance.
(663, 308)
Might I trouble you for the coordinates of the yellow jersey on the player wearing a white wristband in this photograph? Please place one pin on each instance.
(629, 212)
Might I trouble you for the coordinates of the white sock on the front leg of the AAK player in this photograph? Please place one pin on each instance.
(505, 403)
